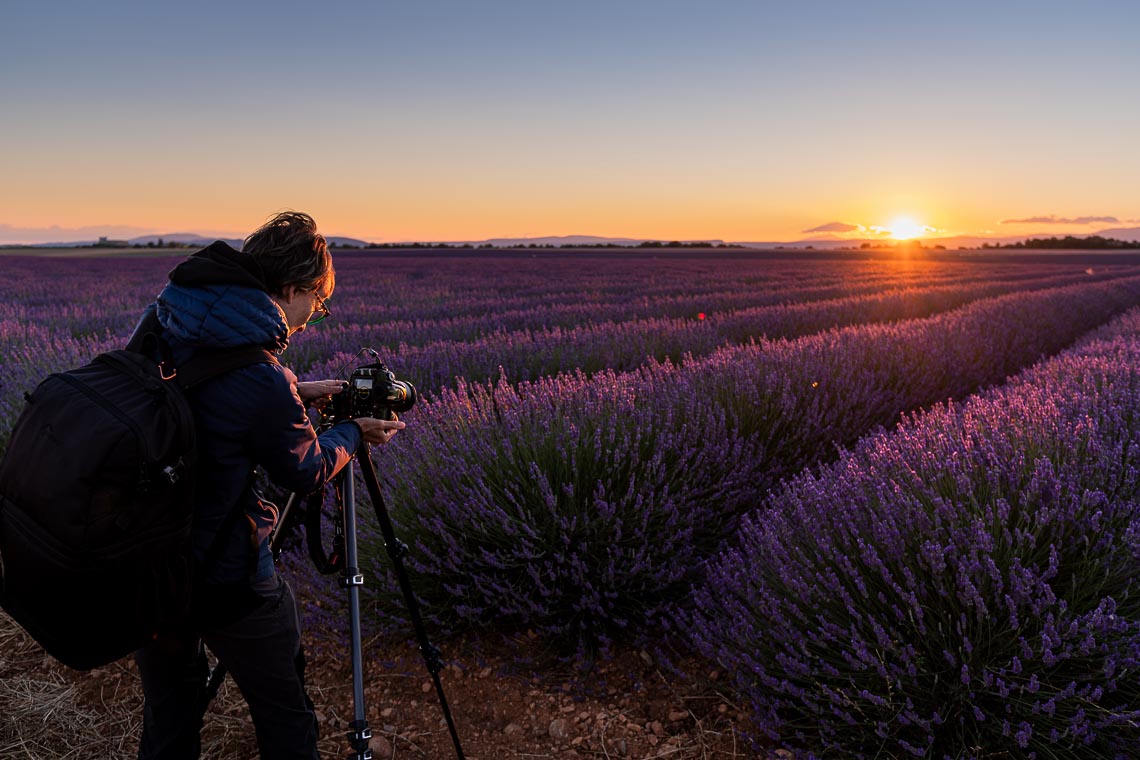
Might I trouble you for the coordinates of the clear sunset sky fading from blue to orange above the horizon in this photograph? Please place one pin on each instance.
(450, 121)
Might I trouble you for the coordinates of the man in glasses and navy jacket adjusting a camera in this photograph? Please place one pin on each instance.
(247, 419)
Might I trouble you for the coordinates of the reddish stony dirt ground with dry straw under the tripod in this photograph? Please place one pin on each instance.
(626, 707)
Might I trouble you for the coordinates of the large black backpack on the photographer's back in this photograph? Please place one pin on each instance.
(96, 504)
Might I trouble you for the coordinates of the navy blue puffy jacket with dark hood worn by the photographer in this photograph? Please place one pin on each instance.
(247, 419)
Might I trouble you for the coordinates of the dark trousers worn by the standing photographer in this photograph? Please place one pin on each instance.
(263, 653)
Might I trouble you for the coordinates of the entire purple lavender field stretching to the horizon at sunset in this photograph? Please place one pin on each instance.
(813, 473)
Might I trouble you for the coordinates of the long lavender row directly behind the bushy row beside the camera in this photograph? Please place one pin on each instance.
(530, 355)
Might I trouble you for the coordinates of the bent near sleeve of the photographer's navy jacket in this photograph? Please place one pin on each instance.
(282, 438)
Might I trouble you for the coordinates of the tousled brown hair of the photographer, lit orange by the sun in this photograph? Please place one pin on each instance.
(292, 252)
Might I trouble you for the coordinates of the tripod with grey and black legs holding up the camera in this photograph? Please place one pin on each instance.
(345, 559)
